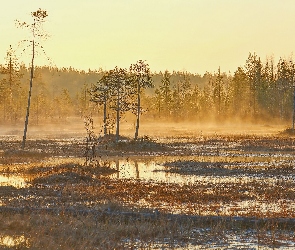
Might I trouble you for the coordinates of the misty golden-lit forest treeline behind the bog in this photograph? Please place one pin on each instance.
(256, 91)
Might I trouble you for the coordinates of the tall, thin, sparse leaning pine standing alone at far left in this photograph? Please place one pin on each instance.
(36, 29)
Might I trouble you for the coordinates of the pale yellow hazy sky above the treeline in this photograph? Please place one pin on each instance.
(192, 35)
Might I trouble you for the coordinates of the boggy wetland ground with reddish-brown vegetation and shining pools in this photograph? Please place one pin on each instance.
(193, 189)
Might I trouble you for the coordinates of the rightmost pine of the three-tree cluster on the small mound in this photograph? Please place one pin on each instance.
(140, 72)
